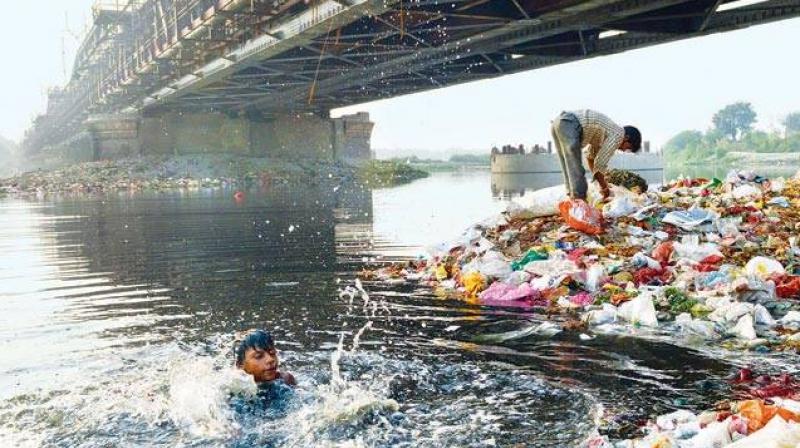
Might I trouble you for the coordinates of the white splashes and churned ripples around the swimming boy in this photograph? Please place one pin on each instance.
(189, 395)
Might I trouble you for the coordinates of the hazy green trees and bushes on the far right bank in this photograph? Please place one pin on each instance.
(732, 140)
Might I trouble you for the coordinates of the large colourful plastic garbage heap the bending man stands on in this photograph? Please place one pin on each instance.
(713, 261)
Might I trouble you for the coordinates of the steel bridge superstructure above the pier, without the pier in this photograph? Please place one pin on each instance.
(297, 57)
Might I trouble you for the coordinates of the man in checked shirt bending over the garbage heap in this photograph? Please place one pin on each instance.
(573, 131)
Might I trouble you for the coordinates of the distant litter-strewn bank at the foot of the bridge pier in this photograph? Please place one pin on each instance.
(197, 171)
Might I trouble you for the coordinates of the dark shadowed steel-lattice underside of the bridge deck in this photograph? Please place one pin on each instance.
(420, 45)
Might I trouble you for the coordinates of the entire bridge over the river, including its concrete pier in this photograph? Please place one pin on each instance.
(260, 76)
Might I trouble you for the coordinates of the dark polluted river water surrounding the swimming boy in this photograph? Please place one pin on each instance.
(118, 315)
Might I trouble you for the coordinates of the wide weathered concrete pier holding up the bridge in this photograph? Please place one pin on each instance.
(345, 139)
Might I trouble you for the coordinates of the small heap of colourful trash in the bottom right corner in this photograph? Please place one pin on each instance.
(764, 412)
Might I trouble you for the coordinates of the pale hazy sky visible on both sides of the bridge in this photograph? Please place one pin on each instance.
(662, 89)
